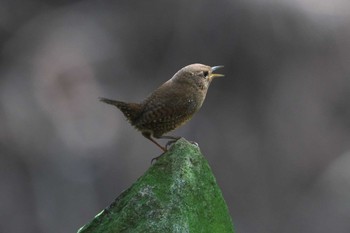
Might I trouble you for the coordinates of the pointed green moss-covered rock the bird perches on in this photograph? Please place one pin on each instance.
(178, 193)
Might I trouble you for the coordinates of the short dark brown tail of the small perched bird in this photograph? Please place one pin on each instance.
(130, 110)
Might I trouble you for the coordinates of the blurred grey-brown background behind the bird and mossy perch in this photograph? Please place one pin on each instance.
(275, 130)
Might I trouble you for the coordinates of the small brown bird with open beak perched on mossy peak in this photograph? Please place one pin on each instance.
(170, 105)
